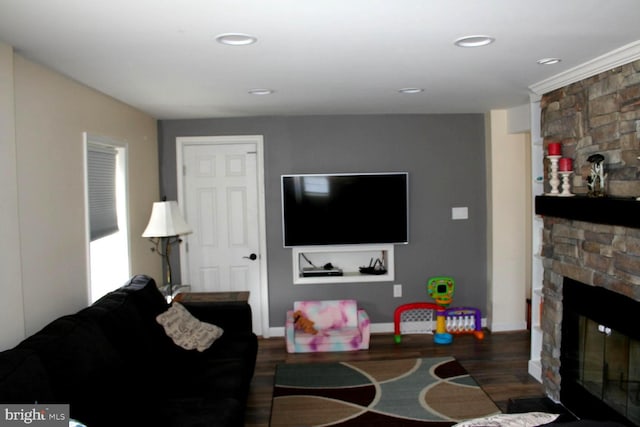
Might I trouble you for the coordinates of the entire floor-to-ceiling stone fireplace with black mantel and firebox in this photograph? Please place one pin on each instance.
(593, 244)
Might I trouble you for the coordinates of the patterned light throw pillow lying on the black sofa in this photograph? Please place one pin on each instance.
(187, 331)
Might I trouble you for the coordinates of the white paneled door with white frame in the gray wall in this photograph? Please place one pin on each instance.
(221, 193)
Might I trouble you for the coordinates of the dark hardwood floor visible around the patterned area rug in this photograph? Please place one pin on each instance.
(498, 363)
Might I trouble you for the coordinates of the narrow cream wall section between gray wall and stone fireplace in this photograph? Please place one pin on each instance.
(507, 203)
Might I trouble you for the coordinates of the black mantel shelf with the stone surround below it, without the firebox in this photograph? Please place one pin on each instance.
(592, 241)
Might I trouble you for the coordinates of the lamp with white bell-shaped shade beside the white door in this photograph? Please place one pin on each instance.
(164, 229)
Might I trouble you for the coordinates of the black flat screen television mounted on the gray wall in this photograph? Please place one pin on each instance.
(345, 209)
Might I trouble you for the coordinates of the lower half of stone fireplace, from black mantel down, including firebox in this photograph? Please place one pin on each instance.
(598, 253)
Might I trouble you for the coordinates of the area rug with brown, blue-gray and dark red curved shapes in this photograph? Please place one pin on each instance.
(403, 392)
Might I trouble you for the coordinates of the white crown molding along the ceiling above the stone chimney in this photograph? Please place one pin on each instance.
(608, 61)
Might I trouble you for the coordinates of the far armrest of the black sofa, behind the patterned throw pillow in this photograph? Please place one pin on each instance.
(234, 317)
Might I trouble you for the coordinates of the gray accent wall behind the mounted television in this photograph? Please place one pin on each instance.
(445, 157)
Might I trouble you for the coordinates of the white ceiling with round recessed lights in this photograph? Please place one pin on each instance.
(319, 56)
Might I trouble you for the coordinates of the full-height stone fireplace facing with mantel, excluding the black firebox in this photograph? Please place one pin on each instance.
(592, 241)
